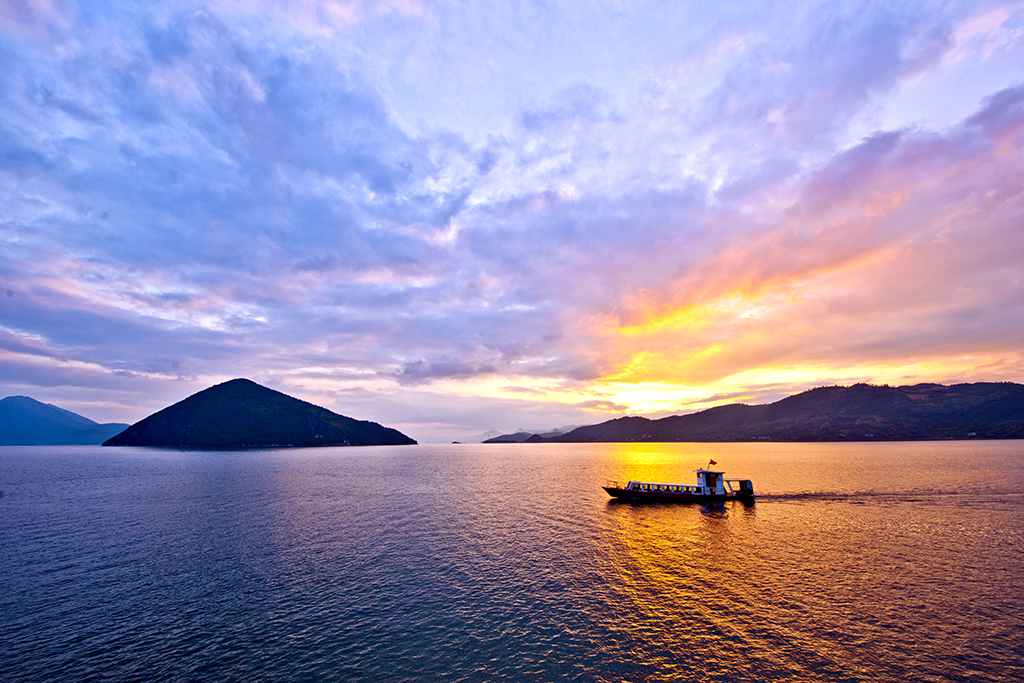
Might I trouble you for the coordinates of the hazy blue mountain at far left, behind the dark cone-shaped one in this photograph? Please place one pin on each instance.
(26, 421)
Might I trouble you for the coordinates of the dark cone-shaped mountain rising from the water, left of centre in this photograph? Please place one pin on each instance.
(243, 414)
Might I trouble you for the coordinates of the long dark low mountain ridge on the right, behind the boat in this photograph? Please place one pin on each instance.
(858, 413)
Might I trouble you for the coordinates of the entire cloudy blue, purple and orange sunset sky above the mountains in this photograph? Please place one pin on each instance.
(451, 218)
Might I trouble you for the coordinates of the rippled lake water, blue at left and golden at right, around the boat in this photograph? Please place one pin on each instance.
(508, 563)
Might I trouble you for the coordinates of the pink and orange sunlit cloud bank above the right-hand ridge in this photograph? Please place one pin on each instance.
(901, 248)
